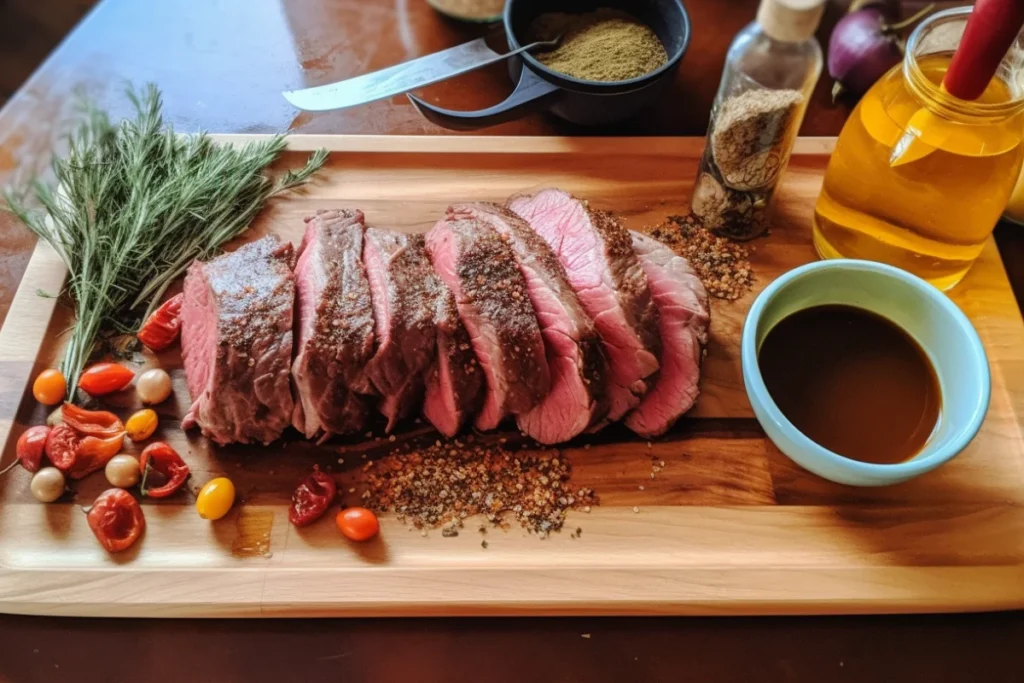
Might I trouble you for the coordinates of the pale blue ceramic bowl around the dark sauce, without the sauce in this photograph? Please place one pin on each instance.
(923, 312)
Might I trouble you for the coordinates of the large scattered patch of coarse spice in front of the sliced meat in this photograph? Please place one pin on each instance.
(441, 486)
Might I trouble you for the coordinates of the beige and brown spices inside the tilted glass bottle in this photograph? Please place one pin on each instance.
(749, 145)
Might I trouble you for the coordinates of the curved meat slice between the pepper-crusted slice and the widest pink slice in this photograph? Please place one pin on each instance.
(572, 345)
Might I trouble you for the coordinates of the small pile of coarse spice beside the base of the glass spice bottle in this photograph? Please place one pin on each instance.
(722, 266)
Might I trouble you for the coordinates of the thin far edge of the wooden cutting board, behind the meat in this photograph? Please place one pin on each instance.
(491, 145)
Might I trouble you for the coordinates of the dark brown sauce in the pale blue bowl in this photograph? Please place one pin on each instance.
(854, 382)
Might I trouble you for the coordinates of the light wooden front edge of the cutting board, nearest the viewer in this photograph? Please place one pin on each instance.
(708, 591)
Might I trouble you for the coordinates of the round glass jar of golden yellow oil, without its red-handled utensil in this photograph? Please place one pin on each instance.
(919, 178)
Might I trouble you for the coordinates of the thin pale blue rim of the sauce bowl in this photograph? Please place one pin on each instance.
(899, 472)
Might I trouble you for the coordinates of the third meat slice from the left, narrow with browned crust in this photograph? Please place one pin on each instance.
(401, 287)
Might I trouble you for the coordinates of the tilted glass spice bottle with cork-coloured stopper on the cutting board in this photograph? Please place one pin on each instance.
(771, 71)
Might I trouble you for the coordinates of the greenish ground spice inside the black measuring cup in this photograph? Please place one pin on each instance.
(606, 46)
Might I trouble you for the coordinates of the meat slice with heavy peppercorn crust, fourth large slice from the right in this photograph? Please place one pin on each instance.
(480, 269)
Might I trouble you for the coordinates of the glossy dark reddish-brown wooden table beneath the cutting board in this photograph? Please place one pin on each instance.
(222, 66)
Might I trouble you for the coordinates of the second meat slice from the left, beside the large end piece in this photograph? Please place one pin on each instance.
(335, 340)
